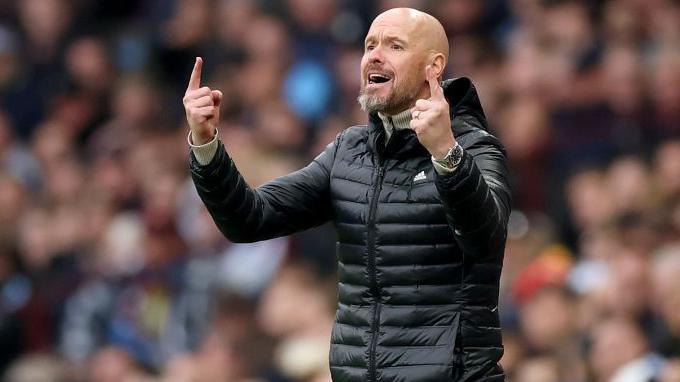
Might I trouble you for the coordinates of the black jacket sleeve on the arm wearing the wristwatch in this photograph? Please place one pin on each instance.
(476, 196)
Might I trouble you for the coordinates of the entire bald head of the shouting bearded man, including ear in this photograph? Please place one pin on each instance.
(397, 48)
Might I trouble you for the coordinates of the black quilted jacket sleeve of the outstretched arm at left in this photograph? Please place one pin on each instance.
(285, 205)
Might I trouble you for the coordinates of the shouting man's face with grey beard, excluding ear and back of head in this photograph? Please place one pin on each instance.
(392, 67)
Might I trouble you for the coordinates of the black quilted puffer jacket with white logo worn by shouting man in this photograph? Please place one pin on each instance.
(419, 258)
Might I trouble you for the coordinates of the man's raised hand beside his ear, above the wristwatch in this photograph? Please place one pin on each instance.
(430, 119)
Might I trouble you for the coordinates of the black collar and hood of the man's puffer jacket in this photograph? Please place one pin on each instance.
(463, 100)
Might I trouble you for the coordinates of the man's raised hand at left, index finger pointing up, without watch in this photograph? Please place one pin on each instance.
(202, 106)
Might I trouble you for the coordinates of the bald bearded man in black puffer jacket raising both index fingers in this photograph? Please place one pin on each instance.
(420, 200)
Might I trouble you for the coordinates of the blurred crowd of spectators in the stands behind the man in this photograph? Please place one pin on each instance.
(111, 269)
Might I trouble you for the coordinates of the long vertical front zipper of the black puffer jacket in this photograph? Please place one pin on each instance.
(372, 272)
